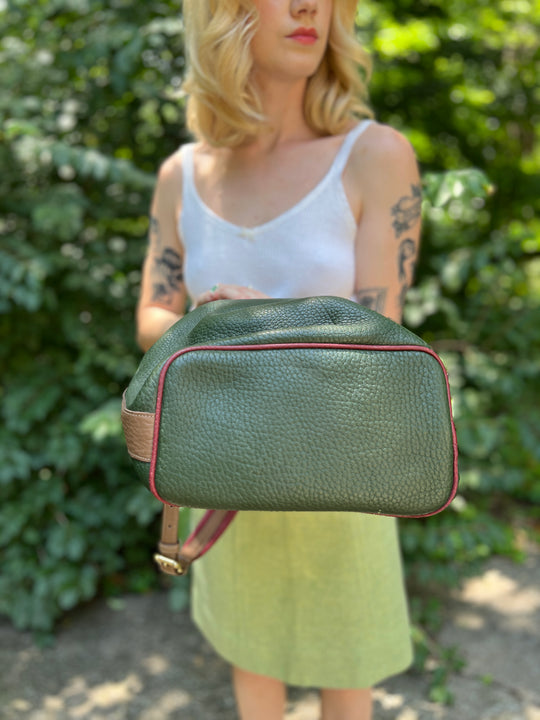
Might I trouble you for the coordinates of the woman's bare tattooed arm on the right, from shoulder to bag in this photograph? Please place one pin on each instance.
(386, 174)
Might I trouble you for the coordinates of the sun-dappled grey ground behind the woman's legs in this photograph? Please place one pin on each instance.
(134, 659)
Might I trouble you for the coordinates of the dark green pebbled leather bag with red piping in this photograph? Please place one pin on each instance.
(315, 404)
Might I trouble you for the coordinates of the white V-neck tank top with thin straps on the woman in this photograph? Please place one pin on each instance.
(307, 250)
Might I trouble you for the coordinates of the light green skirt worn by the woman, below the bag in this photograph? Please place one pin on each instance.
(312, 599)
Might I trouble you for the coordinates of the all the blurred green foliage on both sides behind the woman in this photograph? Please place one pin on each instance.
(90, 103)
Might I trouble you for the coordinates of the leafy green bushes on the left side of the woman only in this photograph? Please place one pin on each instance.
(88, 105)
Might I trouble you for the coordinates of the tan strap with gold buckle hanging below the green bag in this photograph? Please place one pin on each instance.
(175, 560)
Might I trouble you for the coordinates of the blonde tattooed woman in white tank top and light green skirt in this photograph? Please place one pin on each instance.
(290, 191)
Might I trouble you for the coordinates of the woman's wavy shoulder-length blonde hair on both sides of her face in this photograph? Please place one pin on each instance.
(224, 107)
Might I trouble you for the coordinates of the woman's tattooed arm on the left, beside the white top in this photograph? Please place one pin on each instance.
(163, 294)
